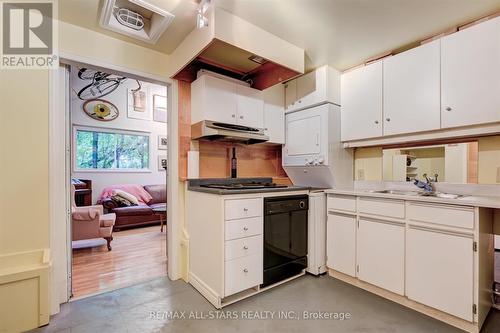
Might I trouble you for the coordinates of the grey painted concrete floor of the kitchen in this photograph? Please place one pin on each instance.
(141, 308)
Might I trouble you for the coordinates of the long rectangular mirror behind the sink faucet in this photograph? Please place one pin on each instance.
(451, 163)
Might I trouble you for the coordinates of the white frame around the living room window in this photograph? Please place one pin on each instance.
(77, 128)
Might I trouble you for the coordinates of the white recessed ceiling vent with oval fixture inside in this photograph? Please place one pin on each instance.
(135, 18)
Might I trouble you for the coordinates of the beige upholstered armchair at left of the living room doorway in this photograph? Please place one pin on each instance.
(90, 222)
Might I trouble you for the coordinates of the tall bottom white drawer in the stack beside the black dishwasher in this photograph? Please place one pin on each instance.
(243, 273)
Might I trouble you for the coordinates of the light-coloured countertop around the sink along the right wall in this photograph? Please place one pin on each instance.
(466, 200)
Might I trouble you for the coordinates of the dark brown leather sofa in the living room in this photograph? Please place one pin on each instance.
(140, 215)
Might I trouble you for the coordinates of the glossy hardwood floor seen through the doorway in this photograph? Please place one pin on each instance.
(138, 255)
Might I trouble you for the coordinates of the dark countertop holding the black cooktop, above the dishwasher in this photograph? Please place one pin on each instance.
(195, 185)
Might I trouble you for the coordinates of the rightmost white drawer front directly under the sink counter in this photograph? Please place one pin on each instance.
(453, 216)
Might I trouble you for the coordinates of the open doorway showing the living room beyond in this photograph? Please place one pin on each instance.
(117, 161)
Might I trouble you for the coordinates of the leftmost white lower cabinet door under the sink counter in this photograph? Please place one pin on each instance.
(341, 243)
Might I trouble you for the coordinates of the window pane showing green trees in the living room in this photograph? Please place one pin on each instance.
(99, 150)
